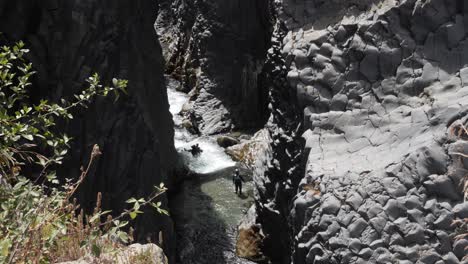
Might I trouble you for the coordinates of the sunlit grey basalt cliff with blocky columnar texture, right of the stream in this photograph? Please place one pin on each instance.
(382, 87)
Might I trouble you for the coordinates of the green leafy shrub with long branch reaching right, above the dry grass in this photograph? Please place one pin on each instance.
(25, 127)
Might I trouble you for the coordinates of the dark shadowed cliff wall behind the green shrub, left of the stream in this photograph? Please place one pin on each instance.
(69, 40)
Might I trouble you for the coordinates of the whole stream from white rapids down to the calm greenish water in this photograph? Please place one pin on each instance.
(206, 210)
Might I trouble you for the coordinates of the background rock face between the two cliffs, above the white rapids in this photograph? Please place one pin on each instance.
(218, 49)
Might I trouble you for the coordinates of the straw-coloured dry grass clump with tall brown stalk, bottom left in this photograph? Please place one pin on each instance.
(55, 233)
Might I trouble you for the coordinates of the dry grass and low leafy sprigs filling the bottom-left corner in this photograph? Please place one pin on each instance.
(46, 228)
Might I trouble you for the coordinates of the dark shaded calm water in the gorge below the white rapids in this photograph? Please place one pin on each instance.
(205, 233)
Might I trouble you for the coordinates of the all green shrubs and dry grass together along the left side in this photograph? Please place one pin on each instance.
(38, 221)
